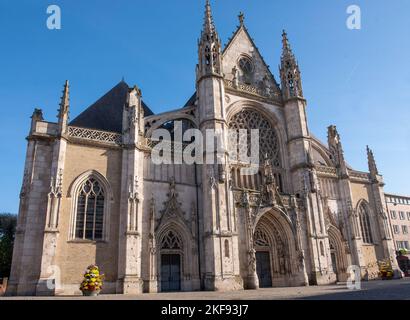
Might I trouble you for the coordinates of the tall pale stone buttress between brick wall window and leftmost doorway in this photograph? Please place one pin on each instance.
(132, 196)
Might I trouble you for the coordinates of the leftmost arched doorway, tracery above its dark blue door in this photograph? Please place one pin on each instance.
(171, 261)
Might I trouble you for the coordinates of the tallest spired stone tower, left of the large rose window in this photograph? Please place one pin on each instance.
(219, 268)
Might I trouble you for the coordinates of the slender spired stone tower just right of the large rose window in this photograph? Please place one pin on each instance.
(303, 175)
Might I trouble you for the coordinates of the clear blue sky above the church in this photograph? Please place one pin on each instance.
(358, 80)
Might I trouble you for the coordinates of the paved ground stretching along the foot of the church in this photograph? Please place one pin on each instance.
(372, 290)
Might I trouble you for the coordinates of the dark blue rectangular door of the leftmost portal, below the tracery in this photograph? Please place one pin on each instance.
(170, 272)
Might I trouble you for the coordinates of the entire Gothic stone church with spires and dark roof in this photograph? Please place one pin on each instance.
(92, 194)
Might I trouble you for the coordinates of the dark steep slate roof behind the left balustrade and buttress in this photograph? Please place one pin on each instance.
(106, 113)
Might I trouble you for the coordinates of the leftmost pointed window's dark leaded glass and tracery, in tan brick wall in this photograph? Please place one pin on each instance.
(89, 215)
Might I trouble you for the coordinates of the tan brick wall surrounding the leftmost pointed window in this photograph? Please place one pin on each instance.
(73, 256)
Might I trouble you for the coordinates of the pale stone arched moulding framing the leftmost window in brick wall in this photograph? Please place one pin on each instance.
(73, 193)
